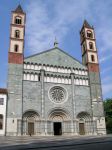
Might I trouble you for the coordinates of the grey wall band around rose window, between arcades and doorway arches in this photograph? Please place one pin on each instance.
(32, 98)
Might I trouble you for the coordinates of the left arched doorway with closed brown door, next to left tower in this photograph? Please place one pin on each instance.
(30, 119)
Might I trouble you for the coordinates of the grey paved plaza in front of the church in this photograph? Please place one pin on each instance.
(22, 142)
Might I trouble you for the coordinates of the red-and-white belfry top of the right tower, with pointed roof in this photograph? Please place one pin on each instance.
(88, 45)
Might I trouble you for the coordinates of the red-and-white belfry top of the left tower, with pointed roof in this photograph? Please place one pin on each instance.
(17, 32)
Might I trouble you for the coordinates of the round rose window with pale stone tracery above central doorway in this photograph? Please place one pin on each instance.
(57, 94)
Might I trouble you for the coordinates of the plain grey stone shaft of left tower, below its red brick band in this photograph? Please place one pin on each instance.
(15, 76)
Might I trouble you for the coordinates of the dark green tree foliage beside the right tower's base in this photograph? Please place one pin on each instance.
(108, 114)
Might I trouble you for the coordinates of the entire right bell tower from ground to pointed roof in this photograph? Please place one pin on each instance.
(90, 59)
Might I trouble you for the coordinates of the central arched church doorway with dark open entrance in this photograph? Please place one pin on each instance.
(58, 118)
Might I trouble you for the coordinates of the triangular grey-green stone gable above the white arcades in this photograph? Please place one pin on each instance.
(55, 57)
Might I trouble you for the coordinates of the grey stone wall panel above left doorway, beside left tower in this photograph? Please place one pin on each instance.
(32, 96)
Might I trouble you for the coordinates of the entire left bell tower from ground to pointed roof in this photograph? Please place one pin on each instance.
(15, 72)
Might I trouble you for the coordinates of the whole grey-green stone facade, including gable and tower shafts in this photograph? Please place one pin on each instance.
(24, 95)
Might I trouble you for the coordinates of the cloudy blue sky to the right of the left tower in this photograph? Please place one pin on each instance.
(49, 18)
